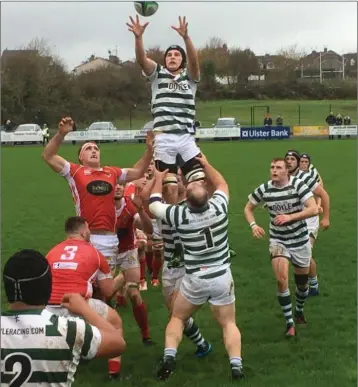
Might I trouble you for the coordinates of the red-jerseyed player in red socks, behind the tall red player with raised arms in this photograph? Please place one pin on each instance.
(130, 214)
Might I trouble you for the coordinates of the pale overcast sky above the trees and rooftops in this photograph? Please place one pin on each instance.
(76, 30)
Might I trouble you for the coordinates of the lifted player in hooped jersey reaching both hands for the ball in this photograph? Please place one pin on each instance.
(174, 87)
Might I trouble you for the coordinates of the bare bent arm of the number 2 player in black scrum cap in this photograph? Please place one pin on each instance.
(112, 342)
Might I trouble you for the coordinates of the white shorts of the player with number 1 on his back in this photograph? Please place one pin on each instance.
(217, 291)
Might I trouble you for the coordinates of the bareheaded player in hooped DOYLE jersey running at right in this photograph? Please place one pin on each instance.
(289, 202)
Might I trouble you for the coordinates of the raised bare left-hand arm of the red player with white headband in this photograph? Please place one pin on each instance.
(49, 154)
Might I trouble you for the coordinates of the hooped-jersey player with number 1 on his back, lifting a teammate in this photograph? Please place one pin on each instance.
(202, 226)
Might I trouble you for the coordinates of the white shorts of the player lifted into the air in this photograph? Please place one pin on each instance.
(167, 146)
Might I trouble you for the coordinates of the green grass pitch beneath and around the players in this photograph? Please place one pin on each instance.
(35, 203)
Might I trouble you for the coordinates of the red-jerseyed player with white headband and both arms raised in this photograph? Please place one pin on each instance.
(93, 186)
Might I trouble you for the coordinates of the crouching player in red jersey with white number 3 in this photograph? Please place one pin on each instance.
(75, 265)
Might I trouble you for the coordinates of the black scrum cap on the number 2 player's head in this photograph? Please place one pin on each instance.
(27, 278)
